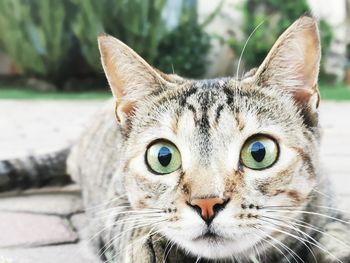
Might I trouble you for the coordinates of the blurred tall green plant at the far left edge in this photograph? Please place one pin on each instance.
(33, 36)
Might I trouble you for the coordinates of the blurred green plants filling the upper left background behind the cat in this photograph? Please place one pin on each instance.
(55, 40)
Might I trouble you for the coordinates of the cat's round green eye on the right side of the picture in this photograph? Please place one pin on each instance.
(259, 152)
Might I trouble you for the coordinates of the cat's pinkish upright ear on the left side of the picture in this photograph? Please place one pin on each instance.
(130, 78)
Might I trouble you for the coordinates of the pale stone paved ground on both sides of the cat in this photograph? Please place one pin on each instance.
(45, 226)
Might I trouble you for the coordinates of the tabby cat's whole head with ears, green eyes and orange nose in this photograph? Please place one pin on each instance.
(215, 158)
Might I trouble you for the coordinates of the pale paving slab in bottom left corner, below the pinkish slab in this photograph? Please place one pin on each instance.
(71, 253)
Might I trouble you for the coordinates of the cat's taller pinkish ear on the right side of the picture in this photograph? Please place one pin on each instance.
(293, 63)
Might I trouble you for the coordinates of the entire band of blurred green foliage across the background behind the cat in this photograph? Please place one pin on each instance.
(54, 42)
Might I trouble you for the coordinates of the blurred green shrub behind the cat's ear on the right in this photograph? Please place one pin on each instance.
(276, 17)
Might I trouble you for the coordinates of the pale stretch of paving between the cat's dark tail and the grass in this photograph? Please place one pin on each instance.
(41, 126)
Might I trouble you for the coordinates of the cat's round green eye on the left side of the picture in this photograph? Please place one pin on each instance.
(163, 157)
